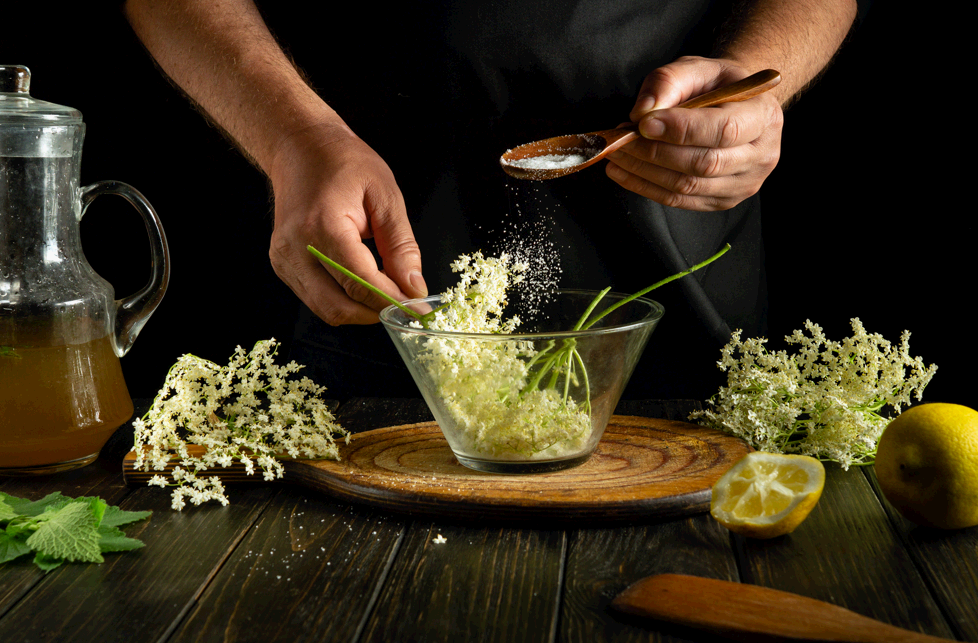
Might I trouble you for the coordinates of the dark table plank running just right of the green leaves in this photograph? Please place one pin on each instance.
(140, 595)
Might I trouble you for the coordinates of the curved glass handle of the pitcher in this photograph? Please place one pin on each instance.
(132, 312)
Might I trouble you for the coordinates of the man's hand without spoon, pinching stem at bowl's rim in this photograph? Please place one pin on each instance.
(332, 191)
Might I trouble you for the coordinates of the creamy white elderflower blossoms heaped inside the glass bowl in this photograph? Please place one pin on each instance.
(482, 384)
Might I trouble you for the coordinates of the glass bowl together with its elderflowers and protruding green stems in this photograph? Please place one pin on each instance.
(516, 397)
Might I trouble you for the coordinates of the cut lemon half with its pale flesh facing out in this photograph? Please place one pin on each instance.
(766, 495)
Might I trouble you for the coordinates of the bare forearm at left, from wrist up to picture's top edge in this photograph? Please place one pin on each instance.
(223, 56)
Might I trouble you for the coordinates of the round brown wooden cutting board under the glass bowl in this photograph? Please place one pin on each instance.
(643, 469)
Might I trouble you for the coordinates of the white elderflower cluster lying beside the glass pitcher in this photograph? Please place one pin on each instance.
(249, 410)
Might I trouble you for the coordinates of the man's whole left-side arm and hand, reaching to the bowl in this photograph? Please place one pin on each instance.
(331, 190)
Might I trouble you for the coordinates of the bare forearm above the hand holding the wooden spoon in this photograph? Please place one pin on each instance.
(796, 37)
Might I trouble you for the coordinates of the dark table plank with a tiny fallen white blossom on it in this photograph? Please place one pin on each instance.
(484, 584)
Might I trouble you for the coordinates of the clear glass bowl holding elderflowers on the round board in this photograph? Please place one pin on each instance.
(529, 402)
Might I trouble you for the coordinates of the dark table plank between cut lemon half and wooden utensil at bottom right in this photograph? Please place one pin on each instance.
(846, 553)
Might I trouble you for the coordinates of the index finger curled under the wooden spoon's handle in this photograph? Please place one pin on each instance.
(728, 125)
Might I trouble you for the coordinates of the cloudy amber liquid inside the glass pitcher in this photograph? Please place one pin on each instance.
(59, 403)
